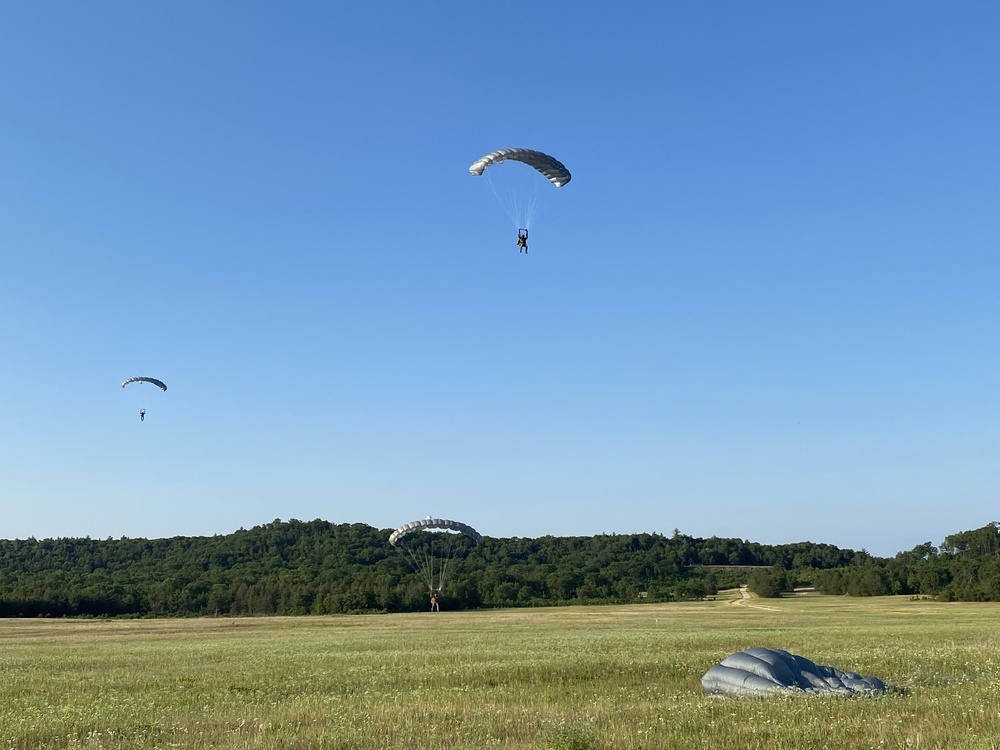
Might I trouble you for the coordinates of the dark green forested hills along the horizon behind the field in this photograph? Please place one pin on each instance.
(317, 567)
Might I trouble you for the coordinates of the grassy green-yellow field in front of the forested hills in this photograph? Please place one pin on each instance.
(567, 678)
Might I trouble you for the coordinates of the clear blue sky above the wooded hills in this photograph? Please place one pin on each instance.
(767, 306)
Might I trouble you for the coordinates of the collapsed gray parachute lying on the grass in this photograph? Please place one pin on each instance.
(763, 671)
